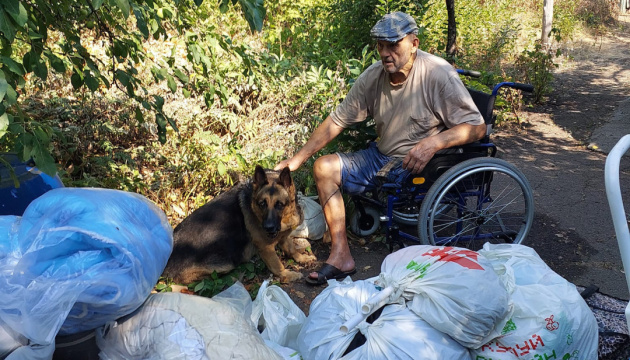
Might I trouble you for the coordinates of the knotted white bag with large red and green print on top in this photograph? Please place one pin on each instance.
(453, 289)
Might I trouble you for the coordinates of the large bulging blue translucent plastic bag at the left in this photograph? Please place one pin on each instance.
(83, 257)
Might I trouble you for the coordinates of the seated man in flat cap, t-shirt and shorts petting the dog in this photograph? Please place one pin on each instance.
(419, 105)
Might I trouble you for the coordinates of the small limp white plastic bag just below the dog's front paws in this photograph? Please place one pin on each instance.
(278, 315)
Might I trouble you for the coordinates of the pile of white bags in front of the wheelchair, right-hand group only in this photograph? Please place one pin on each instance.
(500, 303)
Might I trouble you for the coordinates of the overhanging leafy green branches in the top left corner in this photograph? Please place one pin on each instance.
(38, 37)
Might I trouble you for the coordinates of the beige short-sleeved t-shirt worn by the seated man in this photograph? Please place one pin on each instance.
(432, 99)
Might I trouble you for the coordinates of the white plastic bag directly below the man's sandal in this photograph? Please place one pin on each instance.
(320, 337)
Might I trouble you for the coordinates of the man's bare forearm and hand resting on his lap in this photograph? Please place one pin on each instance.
(418, 157)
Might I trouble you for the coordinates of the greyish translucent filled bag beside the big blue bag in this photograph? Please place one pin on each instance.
(179, 326)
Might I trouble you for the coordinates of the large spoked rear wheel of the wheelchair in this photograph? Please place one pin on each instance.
(477, 201)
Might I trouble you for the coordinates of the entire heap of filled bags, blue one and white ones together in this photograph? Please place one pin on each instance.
(85, 259)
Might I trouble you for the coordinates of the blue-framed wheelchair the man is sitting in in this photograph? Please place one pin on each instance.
(464, 197)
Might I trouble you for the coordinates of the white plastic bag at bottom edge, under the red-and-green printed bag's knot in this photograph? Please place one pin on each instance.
(399, 334)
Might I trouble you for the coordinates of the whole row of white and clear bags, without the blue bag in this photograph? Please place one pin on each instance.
(501, 303)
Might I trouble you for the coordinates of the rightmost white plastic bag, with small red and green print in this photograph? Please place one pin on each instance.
(550, 319)
